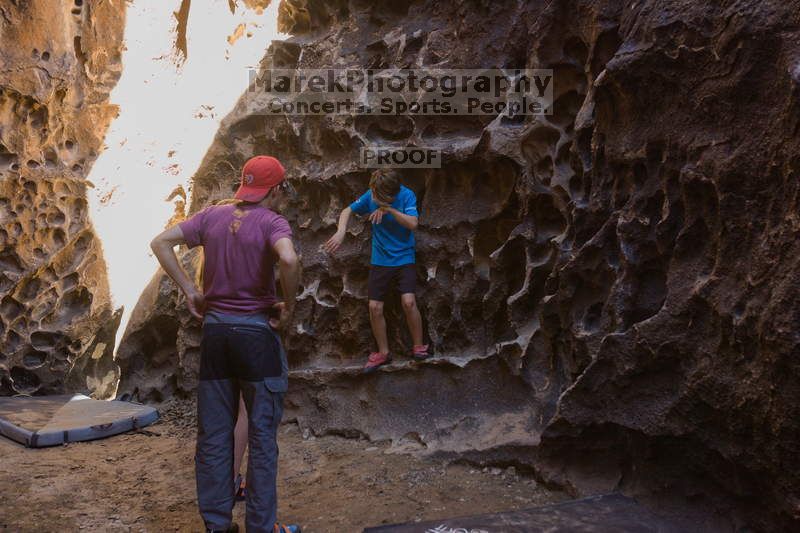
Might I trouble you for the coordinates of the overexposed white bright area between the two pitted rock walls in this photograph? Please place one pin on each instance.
(165, 108)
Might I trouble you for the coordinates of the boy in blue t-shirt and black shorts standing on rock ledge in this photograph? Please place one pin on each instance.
(392, 210)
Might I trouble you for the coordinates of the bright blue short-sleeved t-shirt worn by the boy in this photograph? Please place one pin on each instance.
(392, 244)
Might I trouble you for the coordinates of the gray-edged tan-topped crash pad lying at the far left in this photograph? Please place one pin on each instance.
(50, 420)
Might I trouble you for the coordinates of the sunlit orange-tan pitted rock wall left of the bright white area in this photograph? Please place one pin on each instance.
(58, 63)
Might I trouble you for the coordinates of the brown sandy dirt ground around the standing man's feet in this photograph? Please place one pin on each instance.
(145, 482)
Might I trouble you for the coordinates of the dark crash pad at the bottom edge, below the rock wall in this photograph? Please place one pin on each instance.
(612, 512)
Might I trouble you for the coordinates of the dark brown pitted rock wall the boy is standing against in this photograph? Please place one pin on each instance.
(611, 290)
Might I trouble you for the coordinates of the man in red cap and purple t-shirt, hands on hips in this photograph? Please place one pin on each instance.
(240, 352)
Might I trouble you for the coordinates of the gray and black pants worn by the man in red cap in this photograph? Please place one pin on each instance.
(239, 355)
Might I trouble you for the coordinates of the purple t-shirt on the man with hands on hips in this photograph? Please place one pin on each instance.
(238, 271)
